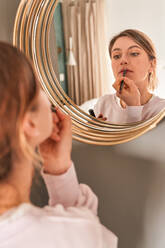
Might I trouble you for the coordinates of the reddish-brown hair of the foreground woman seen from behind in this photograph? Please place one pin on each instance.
(18, 91)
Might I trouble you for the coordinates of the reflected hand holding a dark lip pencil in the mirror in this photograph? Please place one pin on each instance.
(130, 93)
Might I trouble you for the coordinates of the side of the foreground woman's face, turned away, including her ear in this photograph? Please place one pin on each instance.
(39, 123)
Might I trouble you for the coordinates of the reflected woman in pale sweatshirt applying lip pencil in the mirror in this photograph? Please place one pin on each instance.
(133, 60)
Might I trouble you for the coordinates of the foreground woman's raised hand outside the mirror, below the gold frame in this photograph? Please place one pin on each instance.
(56, 150)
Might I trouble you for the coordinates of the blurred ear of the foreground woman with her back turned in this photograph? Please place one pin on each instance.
(30, 126)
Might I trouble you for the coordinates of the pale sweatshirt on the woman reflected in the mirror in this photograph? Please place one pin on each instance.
(109, 106)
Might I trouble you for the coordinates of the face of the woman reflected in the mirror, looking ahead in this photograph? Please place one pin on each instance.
(127, 55)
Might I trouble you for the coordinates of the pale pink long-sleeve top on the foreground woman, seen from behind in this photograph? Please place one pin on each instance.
(70, 220)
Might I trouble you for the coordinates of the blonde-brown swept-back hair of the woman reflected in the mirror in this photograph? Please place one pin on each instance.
(145, 42)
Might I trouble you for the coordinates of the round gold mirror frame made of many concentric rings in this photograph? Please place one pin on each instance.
(31, 34)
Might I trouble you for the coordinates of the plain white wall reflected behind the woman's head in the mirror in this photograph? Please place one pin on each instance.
(145, 15)
